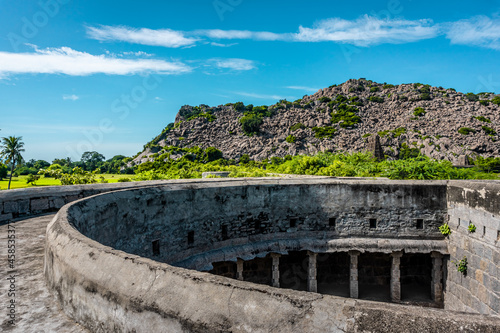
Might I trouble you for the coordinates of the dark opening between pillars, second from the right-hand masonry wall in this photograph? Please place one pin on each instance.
(374, 276)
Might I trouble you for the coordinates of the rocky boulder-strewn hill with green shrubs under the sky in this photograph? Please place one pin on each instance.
(441, 123)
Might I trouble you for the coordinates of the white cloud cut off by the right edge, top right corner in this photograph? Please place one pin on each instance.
(479, 30)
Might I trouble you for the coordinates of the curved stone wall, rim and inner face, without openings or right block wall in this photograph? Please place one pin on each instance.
(98, 248)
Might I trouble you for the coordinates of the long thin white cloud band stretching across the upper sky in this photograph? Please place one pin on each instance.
(364, 31)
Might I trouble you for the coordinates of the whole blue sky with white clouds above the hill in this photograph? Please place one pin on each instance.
(108, 76)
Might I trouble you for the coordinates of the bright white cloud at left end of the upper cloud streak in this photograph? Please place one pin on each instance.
(144, 36)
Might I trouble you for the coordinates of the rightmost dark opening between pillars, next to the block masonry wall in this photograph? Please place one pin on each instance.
(416, 269)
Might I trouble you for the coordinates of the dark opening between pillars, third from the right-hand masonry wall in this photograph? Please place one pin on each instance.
(333, 273)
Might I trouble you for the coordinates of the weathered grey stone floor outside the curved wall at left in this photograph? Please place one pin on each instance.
(37, 310)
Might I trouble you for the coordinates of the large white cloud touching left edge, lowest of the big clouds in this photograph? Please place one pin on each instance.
(65, 60)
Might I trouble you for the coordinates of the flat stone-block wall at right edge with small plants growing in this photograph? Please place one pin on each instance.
(478, 290)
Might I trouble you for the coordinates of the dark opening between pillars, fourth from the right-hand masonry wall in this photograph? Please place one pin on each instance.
(293, 270)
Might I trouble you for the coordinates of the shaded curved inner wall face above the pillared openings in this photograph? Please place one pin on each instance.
(261, 211)
